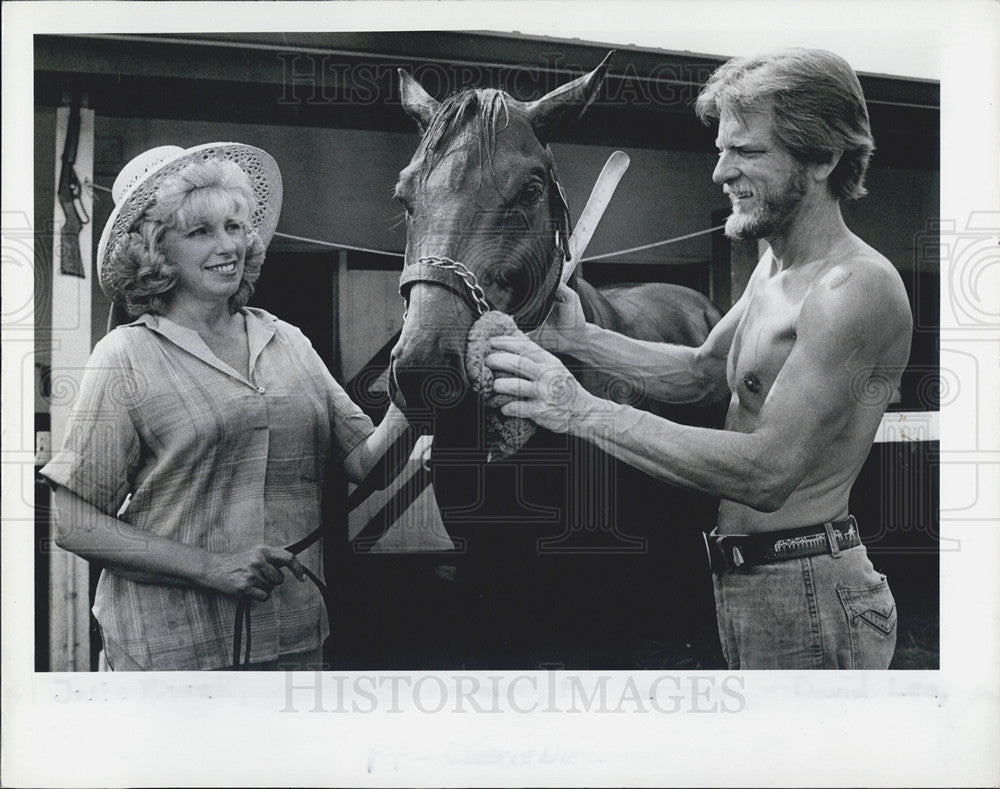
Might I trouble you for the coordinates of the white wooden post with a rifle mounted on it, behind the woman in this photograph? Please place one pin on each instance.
(69, 575)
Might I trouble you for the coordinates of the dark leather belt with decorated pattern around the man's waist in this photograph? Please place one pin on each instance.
(728, 552)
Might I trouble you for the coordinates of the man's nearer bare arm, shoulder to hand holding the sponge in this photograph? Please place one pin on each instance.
(843, 332)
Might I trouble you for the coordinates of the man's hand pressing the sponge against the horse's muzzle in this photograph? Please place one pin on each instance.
(548, 393)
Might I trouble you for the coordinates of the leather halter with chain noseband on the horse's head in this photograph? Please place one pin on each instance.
(456, 276)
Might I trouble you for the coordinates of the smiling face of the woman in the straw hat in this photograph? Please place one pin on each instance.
(207, 250)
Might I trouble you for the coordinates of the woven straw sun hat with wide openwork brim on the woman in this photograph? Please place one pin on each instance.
(136, 186)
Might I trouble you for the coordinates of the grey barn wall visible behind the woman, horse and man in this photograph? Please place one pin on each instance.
(338, 186)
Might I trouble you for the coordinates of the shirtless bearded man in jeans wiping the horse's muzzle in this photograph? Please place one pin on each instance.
(811, 355)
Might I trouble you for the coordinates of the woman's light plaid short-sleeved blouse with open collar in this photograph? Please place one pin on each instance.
(212, 459)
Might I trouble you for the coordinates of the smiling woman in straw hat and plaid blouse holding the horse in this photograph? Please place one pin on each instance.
(202, 431)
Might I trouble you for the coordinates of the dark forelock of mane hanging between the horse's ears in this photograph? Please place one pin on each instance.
(487, 107)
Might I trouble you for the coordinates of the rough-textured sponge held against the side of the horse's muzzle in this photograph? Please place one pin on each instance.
(505, 435)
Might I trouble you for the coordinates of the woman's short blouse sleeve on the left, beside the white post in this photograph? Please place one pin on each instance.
(101, 448)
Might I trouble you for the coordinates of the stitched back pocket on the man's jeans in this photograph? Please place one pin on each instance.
(871, 618)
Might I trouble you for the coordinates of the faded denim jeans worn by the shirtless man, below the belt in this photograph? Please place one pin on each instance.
(820, 612)
